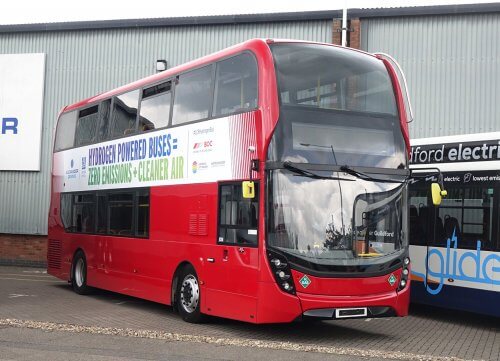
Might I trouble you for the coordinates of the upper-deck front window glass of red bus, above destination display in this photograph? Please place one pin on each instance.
(332, 78)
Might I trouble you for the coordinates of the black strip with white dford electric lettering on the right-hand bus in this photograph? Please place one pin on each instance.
(456, 152)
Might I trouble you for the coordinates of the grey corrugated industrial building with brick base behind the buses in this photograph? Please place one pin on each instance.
(450, 54)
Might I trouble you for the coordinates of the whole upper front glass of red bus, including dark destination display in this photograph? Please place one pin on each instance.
(335, 100)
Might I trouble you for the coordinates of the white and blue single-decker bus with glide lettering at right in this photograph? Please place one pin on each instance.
(455, 249)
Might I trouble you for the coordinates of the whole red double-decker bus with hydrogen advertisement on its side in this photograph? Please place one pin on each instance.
(263, 183)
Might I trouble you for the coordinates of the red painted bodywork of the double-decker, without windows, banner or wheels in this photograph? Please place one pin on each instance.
(239, 283)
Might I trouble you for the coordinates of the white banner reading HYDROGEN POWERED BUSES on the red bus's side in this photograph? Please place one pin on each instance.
(194, 153)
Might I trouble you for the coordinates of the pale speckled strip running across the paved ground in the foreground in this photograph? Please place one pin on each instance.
(221, 341)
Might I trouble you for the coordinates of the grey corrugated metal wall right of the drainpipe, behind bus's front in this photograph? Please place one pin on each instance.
(452, 64)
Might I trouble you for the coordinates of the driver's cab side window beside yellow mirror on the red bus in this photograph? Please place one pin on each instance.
(237, 216)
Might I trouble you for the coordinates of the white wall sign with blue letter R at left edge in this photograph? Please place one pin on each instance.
(21, 107)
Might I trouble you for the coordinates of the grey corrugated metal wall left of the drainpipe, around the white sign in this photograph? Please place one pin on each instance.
(83, 63)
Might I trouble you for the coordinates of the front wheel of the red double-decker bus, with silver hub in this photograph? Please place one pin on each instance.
(189, 295)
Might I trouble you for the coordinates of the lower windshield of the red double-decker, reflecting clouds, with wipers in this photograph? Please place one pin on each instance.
(320, 223)
